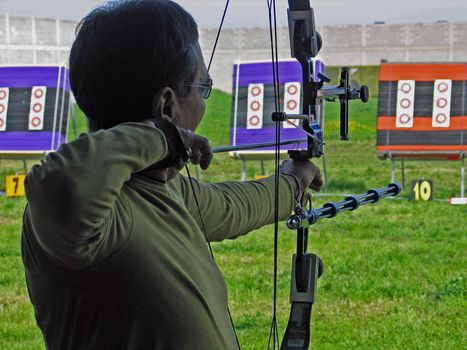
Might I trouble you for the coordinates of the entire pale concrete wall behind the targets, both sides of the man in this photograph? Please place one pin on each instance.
(32, 40)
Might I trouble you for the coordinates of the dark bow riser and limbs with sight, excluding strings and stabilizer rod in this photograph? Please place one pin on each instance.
(307, 267)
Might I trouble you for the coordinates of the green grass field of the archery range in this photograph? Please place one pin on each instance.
(395, 273)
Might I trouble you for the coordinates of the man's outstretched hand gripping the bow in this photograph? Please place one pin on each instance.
(305, 173)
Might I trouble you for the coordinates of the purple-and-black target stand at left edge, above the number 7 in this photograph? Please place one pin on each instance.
(34, 109)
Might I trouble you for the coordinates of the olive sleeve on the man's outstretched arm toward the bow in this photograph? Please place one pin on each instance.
(233, 208)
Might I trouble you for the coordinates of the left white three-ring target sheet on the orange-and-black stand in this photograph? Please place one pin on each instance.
(405, 103)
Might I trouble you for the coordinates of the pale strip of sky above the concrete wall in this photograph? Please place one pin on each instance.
(253, 13)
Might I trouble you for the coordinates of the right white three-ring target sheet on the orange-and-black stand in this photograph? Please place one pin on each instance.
(441, 103)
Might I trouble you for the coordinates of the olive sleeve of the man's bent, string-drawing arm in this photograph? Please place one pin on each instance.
(74, 195)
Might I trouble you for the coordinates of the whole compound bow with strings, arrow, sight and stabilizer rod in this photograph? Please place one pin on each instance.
(305, 43)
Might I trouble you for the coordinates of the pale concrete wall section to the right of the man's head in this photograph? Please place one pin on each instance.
(349, 45)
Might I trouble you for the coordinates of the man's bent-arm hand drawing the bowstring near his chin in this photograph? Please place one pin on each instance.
(198, 148)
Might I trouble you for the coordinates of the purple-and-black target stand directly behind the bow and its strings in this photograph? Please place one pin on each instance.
(253, 104)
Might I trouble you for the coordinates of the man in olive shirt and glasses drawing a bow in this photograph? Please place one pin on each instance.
(113, 246)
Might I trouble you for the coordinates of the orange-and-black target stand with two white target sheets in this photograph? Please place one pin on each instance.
(422, 113)
